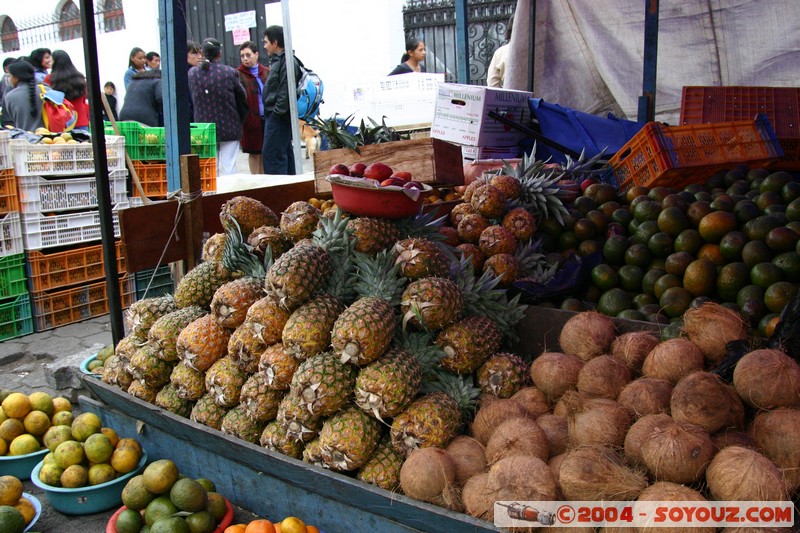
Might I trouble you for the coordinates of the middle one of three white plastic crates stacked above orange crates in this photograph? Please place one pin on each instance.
(38, 194)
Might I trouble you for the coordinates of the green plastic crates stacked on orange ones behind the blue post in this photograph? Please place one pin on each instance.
(147, 149)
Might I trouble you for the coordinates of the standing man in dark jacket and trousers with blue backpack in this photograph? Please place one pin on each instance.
(277, 151)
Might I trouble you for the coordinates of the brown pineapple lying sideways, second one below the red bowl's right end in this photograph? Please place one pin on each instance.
(431, 303)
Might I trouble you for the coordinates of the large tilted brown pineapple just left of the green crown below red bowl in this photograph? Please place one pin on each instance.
(297, 274)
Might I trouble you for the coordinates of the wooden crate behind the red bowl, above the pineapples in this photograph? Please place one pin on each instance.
(428, 160)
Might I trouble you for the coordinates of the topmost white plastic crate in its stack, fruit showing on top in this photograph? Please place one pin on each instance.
(64, 159)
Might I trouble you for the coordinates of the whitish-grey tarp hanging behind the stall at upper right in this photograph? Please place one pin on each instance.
(589, 54)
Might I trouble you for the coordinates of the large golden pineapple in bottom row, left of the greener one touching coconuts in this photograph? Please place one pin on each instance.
(348, 438)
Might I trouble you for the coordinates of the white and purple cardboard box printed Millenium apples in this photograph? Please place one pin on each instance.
(462, 115)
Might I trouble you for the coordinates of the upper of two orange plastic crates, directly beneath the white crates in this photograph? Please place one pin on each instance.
(48, 271)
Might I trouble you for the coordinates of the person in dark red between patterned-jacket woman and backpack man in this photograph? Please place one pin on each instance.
(253, 76)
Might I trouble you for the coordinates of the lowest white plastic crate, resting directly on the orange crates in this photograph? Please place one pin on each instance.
(40, 232)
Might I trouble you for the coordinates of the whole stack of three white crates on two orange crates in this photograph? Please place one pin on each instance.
(57, 194)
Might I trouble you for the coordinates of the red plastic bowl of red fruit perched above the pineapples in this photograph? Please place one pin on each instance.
(383, 202)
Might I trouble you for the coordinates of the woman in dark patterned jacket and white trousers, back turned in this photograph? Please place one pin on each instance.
(215, 88)
